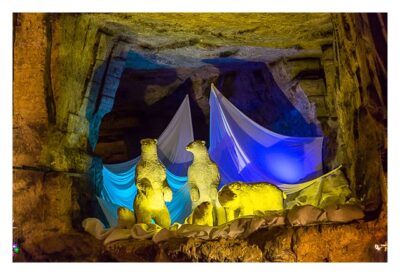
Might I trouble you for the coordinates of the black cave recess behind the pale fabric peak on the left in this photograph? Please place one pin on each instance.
(154, 118)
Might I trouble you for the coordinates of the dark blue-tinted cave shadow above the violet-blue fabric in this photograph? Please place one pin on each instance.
(260, 98)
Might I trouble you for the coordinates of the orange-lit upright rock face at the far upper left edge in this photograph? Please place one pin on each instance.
(30, 117)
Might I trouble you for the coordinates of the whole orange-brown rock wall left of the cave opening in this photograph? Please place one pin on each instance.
(55, 57)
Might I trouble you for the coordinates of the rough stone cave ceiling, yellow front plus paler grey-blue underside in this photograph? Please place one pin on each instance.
(188, 40)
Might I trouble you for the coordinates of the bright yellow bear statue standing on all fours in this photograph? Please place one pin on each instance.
(242, 199)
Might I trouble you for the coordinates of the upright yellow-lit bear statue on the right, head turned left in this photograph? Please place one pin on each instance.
(203, 175)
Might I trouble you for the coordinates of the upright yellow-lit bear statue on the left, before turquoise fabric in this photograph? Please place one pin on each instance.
(153, 189)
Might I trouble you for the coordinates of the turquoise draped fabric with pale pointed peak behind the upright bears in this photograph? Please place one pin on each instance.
(119, 187)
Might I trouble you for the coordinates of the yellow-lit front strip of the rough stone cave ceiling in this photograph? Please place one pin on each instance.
(208, 30)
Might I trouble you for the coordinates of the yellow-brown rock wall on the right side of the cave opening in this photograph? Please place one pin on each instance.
(343, 88)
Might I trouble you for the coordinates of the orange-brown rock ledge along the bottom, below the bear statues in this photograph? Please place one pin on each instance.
(352, 242)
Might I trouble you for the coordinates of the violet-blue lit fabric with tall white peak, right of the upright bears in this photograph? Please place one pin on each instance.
(245, 151)
